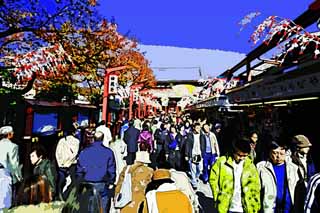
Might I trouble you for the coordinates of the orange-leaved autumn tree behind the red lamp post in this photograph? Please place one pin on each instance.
(94, 49)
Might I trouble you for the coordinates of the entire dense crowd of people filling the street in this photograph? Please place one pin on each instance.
(156, 165)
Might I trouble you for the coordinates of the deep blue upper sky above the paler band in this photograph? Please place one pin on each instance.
(205, 24)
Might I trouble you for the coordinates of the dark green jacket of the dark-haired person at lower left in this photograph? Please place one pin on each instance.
(46, 168)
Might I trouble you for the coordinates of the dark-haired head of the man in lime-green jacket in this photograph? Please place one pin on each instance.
(241, 149)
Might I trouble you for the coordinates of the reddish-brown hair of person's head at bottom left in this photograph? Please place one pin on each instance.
(34, 190)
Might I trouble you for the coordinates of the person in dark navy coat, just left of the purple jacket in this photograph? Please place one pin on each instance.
(131, 136)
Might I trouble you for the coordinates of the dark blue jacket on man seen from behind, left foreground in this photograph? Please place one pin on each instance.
(97, 164)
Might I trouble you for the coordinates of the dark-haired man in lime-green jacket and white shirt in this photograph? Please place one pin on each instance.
(235, 182)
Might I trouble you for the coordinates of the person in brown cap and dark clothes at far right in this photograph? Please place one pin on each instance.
(302, 158)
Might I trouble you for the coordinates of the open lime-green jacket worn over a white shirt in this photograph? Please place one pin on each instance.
(222, 184)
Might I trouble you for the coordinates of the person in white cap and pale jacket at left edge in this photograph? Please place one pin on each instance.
(10, 172)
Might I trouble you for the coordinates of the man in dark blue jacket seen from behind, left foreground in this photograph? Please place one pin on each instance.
(97, 166)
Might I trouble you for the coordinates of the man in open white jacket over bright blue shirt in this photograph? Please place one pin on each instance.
(279, 178)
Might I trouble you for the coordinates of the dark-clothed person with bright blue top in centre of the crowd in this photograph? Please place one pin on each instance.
(173, 148)
